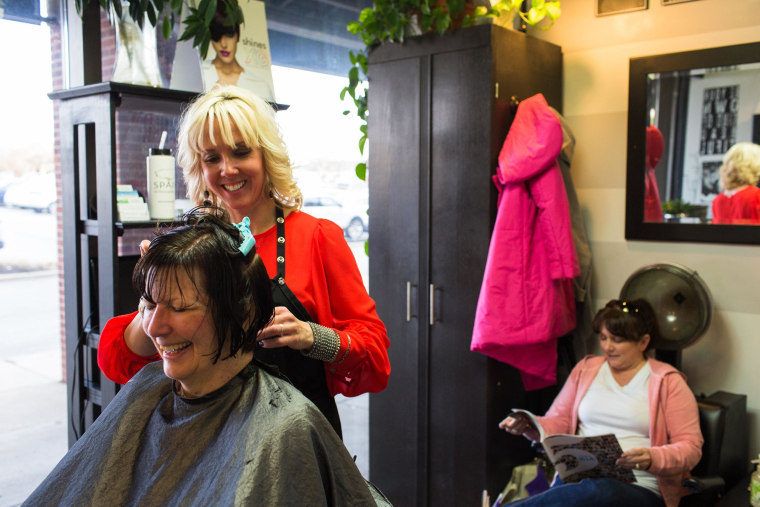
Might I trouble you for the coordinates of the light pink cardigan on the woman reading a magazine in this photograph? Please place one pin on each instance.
(673, 421)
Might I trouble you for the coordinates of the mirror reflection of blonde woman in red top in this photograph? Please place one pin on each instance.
(739, 202)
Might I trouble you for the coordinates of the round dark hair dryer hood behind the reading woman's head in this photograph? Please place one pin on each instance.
(680, 298)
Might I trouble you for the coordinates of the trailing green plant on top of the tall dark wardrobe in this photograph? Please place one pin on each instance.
(390, 21)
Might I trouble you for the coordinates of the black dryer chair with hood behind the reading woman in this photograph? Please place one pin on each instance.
(683, 304)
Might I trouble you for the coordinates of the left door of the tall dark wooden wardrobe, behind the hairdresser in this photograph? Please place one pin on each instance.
(394, 246)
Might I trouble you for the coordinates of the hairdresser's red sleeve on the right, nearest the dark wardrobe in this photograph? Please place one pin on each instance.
(362, 363)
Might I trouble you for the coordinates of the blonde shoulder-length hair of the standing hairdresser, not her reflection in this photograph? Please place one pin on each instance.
(228, 107)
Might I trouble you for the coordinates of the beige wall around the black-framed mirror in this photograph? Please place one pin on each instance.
(596, 53)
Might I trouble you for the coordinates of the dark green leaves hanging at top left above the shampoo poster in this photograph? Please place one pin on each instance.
(166, 12)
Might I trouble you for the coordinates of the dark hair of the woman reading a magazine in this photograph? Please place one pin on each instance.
(630, 320)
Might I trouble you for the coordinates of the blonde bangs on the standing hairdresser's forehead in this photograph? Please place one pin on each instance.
(228, 114)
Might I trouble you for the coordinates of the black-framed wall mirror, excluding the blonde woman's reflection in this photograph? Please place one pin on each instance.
(685, 110)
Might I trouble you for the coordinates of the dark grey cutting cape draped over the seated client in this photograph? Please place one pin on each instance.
(255, 441)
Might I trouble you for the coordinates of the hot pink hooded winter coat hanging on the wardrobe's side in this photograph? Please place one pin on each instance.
(526, 301)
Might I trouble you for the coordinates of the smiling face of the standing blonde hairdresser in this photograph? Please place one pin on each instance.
(235, 174)
